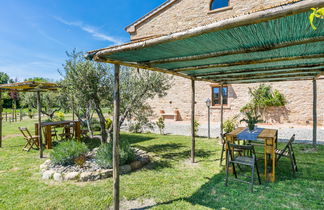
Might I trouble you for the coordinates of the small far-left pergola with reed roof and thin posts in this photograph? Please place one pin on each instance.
(28, 86)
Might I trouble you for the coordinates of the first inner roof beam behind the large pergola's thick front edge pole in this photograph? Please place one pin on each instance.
(235, 52)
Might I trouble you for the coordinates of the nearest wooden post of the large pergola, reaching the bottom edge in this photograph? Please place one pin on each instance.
(116, 129)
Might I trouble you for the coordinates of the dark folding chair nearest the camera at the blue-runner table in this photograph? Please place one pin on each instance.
(242, 160)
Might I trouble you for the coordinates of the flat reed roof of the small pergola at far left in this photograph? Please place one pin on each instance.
(29, 86)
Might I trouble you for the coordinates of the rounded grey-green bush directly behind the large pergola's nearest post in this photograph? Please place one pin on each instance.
(104, 154)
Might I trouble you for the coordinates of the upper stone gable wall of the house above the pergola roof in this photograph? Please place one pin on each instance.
(187, 14)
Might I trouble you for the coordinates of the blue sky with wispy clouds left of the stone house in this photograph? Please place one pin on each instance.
(35, 34)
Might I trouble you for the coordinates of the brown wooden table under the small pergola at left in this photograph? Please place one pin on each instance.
(48, 130)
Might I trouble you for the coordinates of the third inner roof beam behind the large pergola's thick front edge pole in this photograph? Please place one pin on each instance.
(223, 73)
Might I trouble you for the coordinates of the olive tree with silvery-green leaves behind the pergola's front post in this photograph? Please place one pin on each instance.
(91, 85)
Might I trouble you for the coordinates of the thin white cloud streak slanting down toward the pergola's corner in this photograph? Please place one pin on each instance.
(91, 30)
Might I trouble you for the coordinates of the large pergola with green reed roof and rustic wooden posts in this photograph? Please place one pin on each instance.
(272, 45)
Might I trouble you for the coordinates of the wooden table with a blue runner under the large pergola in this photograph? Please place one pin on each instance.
(269, 136)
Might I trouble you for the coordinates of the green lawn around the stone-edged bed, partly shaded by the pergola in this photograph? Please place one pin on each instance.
(170, 180)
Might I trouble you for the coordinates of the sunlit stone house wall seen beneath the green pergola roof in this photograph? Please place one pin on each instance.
(299, 95)
